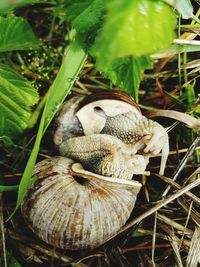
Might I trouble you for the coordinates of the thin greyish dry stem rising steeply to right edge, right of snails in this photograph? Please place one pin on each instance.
(182, 163)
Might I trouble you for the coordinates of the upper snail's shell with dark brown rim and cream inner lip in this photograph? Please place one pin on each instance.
(86, 114)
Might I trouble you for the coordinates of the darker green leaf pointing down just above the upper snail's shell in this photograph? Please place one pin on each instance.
(127, 72)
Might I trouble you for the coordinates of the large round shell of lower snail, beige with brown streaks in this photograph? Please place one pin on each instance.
(74, 209)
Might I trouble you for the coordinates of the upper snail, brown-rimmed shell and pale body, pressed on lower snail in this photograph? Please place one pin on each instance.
(111, 113)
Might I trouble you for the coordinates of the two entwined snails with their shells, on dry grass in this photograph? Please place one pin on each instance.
(83, 197)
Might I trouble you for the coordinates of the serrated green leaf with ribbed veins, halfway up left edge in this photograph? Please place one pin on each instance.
(16, 98)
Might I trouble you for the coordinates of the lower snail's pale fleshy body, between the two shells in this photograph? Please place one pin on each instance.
(105, 155)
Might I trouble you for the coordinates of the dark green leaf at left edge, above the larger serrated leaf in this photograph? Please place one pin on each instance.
(16, 34)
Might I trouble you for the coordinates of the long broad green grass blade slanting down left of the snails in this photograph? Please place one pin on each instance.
(70, 68)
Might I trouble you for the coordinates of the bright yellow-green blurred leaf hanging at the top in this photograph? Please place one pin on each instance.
(137, 28)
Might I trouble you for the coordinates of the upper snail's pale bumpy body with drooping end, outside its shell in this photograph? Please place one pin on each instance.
(134, 129)
